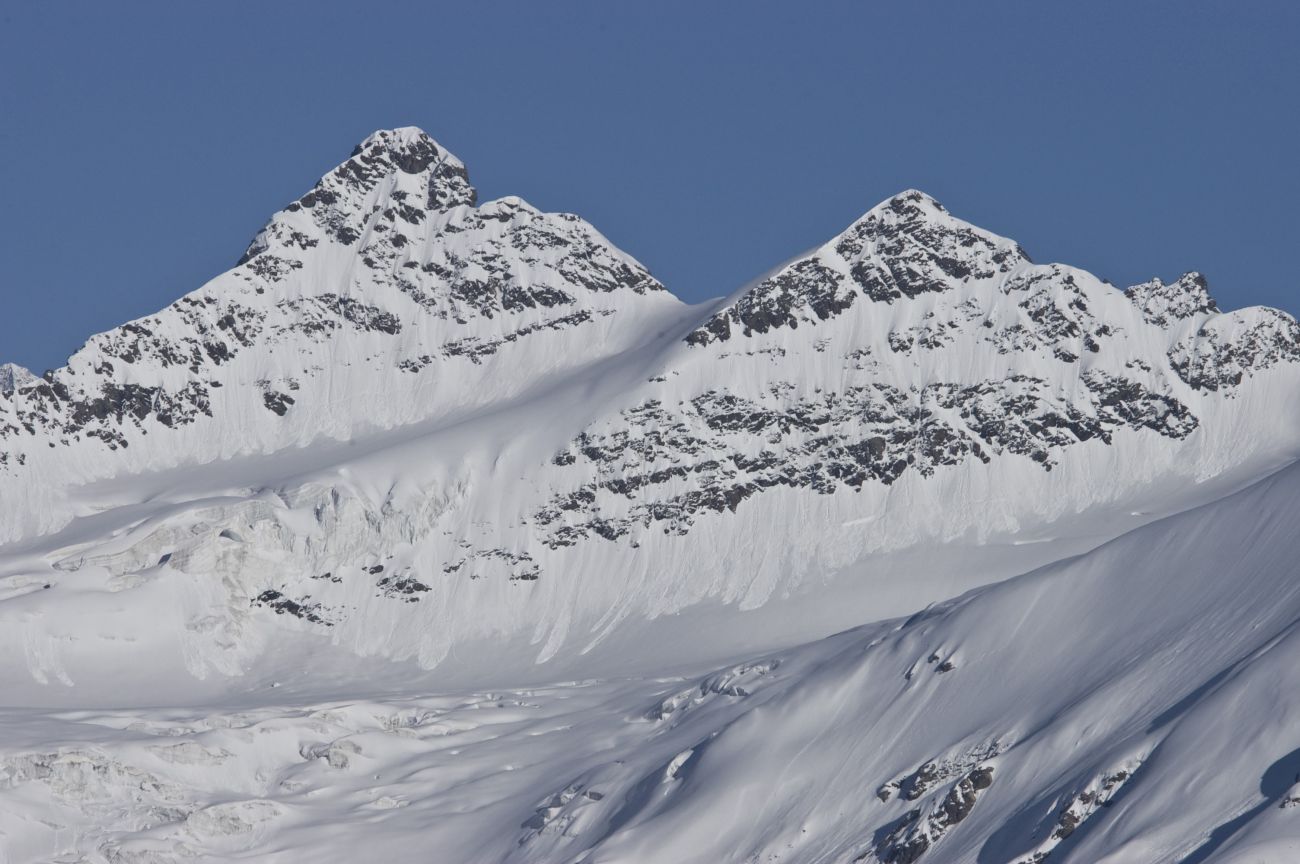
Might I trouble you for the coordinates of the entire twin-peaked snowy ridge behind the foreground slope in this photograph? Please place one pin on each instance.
(415, 428)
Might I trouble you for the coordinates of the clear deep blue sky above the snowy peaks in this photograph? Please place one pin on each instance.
(144, 144)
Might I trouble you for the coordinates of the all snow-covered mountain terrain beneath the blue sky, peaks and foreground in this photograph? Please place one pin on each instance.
(483, 441)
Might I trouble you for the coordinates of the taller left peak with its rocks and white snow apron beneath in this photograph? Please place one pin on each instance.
(383, 297)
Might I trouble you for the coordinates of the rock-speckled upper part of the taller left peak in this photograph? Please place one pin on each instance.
(461, 266)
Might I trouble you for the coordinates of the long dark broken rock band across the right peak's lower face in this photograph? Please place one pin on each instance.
(721, 449)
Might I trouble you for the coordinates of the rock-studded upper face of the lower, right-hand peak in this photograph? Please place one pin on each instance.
(941, 346)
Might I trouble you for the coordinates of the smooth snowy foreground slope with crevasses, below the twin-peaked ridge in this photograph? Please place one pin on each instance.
(1134, 705)
